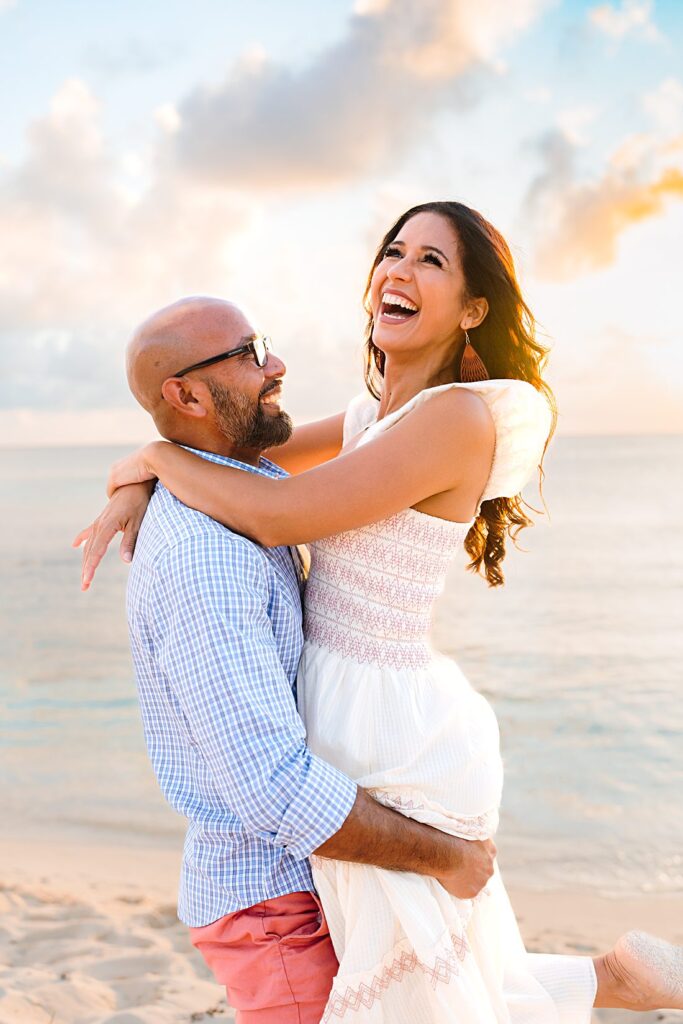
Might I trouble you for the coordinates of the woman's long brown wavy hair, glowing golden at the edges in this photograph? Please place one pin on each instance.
(507, 343)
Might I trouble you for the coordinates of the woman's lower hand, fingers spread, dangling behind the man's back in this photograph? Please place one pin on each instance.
(123, 515)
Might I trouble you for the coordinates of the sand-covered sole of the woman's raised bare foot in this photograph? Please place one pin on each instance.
(655, 968)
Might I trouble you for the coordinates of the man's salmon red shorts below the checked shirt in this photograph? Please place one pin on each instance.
(276, 960)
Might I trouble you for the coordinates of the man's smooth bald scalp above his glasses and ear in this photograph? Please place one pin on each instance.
(177, 336)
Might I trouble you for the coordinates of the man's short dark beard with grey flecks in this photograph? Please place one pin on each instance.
(246, 423)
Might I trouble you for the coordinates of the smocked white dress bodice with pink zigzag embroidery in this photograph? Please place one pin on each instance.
(371, 591)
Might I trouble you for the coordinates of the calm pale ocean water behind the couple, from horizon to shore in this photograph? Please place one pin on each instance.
(581, 654)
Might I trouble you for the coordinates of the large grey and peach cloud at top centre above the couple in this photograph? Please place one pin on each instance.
(360, 107)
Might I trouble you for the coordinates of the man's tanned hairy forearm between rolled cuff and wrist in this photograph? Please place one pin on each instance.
(376, 835)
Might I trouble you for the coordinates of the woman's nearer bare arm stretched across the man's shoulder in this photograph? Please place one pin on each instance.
(446, 444)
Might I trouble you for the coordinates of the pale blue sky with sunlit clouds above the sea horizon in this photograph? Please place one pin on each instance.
(259, 152)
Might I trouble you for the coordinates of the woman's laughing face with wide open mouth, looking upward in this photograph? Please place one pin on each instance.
(418, 289)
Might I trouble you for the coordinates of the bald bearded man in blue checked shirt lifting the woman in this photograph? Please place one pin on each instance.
(216, 626)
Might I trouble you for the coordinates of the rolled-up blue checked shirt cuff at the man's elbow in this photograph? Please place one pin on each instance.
(319, 810)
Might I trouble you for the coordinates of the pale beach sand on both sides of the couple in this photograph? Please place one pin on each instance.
(89, 935)
